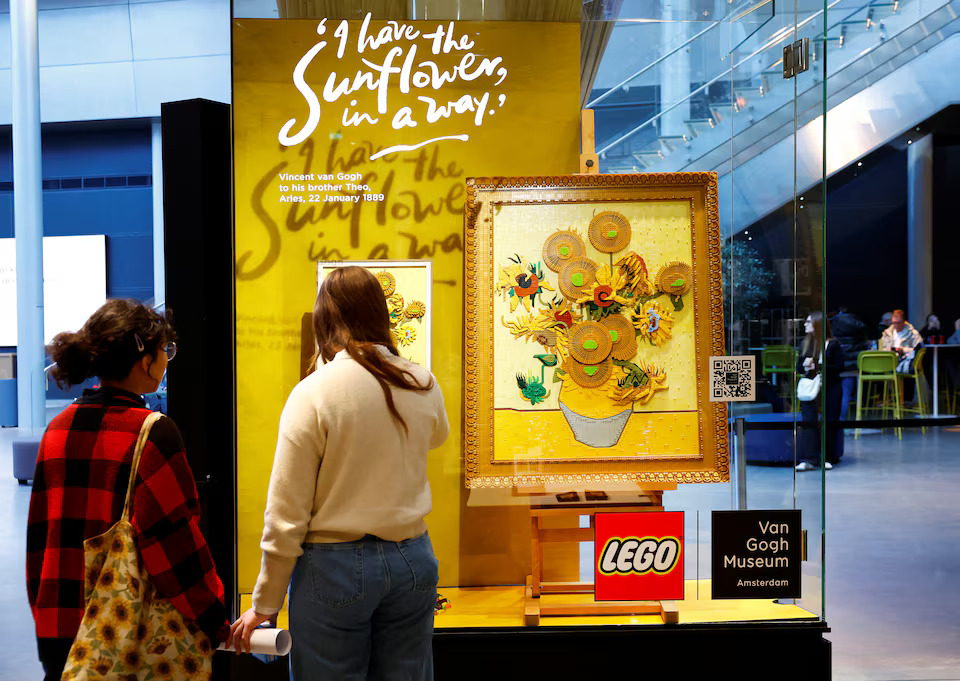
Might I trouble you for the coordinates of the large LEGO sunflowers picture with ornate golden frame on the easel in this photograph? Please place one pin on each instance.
(594, 303)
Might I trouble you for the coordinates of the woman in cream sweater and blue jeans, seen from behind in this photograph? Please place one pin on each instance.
(344, 525)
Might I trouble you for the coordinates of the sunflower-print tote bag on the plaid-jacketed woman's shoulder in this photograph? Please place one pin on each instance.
(129, 633)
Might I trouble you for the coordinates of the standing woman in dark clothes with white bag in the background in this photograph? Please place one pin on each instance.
(822, 354)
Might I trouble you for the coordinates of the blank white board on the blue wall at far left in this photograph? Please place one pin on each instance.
(74, 286)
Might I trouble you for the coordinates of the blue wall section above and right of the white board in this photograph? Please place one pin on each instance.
(124, 214)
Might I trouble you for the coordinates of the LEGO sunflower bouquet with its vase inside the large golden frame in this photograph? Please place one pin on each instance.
(596, 323)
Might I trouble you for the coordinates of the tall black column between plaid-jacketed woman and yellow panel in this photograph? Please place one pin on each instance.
(198, 240)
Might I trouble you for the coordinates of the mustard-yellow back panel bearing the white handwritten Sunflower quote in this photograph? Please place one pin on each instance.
(529, 127)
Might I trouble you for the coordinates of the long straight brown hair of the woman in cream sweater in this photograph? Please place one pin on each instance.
(351, 314)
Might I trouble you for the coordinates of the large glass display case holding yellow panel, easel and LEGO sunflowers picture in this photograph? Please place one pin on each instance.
(615, 341)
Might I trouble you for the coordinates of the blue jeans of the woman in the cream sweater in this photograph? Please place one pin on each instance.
(363, 611)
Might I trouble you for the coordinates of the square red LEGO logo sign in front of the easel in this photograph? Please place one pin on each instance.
(639, 556)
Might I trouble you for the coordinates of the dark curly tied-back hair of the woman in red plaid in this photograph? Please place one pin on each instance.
(110, 342)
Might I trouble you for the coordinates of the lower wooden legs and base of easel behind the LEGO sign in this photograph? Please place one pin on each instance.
(535, 607)
